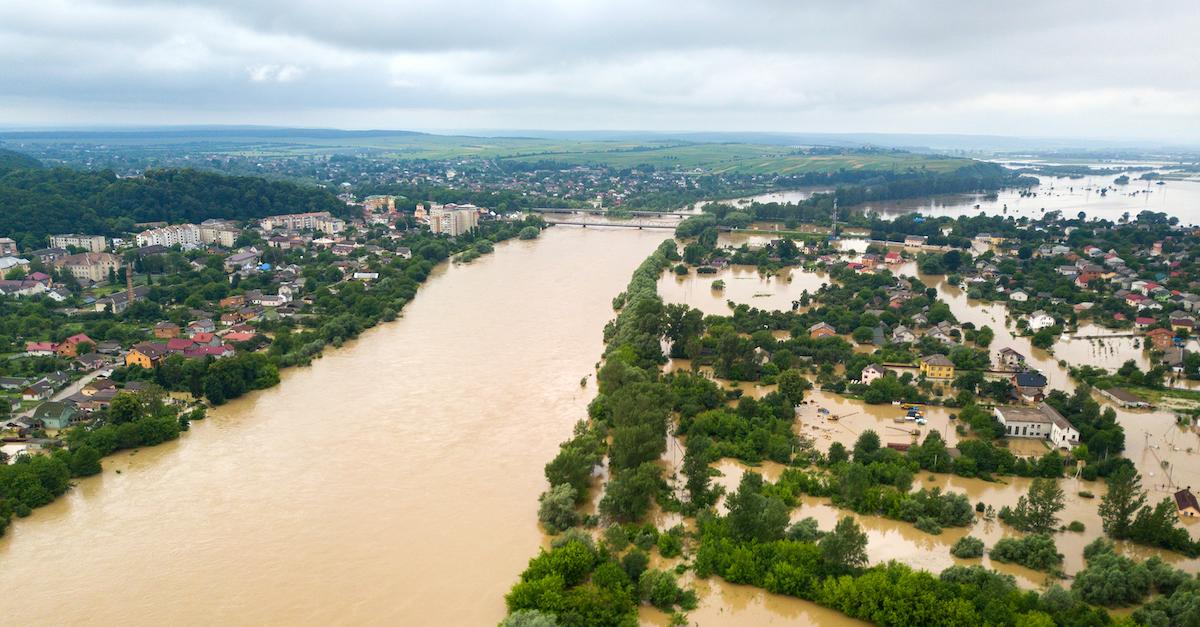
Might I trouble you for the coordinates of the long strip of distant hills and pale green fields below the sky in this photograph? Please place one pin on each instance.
(721, 158)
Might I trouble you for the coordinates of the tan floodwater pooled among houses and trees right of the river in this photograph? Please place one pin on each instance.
(1151, 439)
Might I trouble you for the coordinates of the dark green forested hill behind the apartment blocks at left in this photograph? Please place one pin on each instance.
(38, 201)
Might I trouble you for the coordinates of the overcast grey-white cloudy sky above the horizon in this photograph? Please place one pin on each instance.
(1048, 68)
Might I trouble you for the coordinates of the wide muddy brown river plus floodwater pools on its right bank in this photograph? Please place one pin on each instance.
(395, 482)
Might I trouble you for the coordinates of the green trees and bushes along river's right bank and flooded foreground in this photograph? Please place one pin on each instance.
(583, 581)
